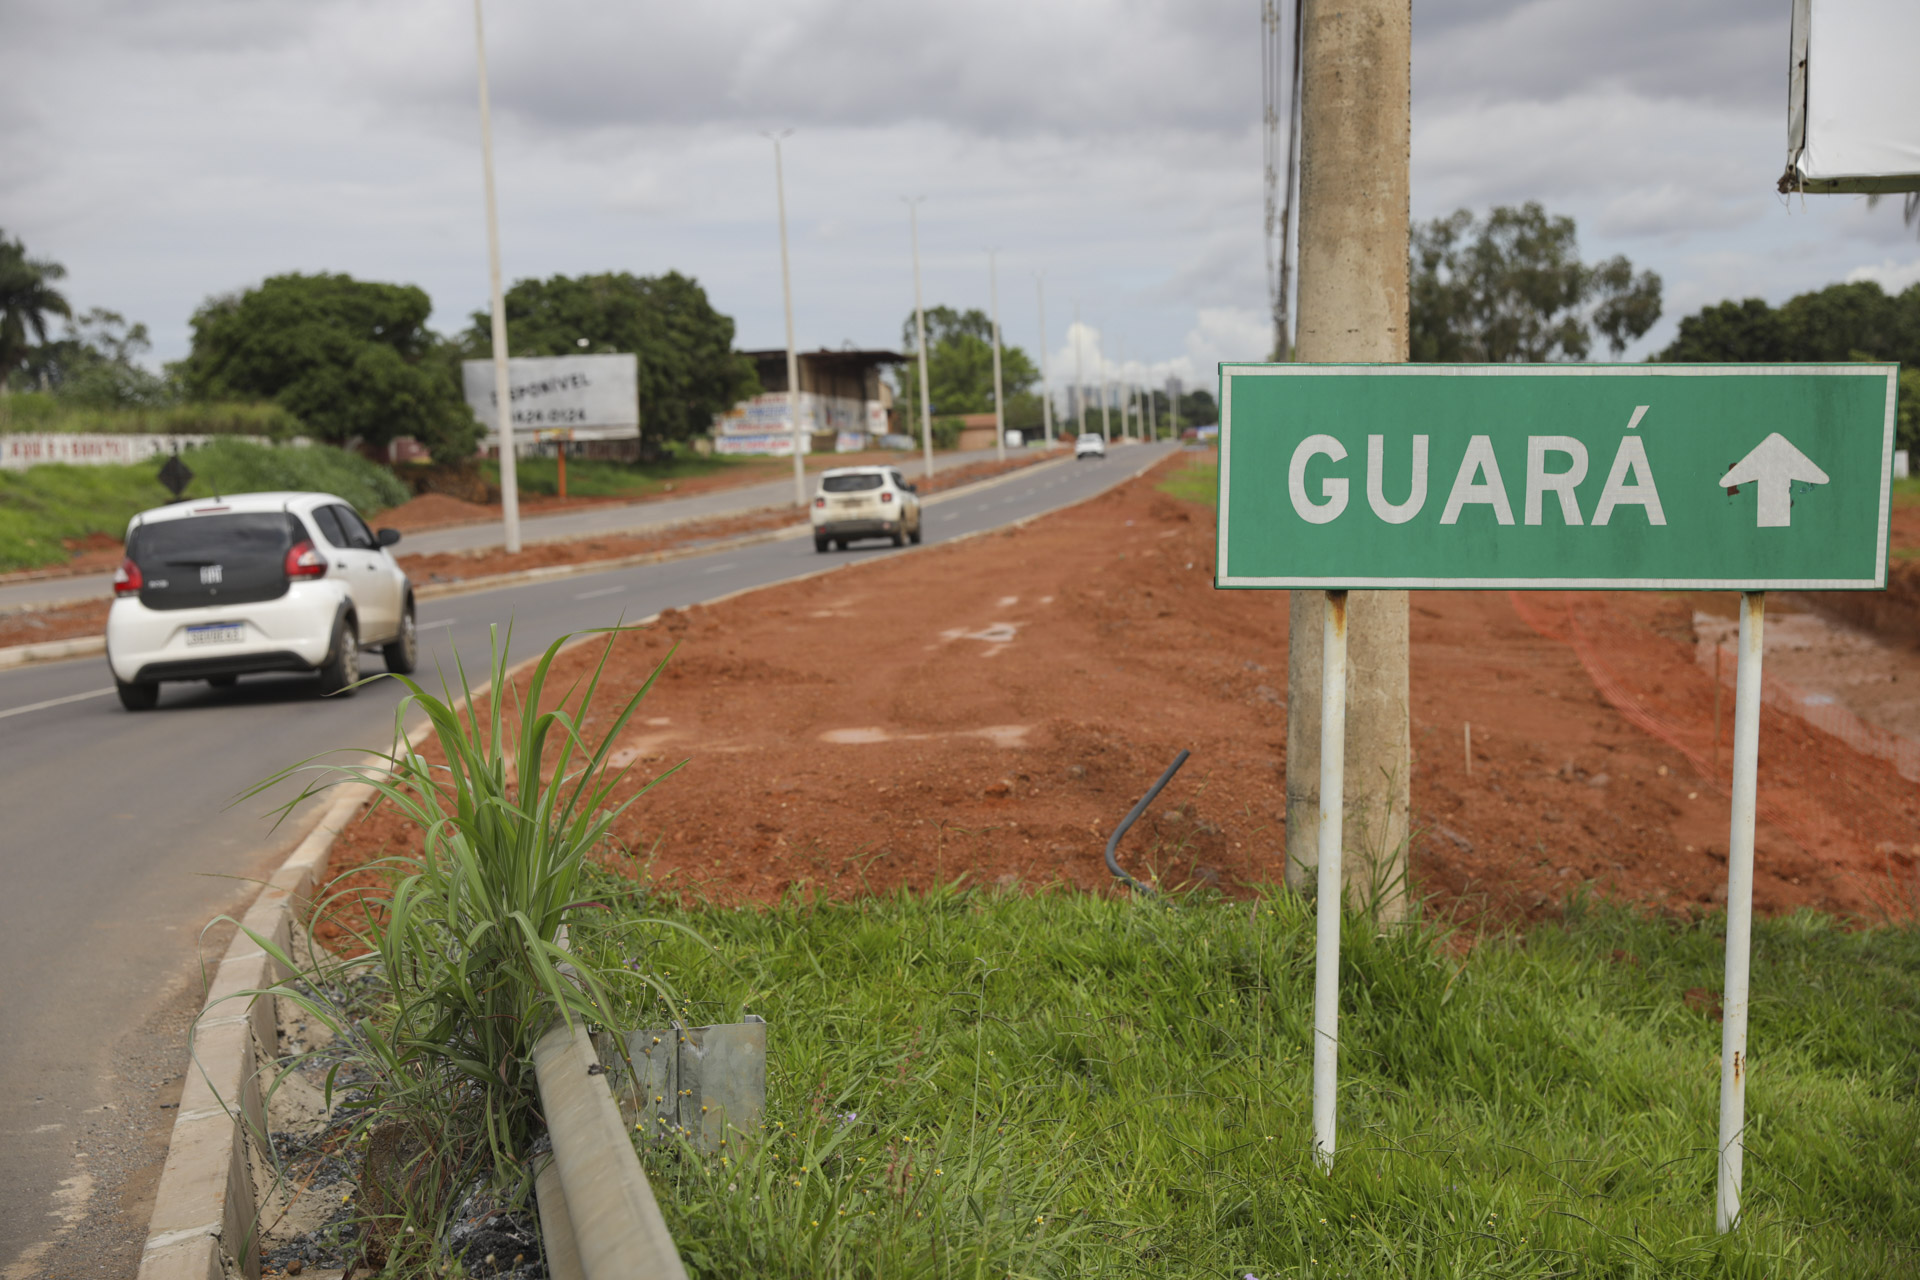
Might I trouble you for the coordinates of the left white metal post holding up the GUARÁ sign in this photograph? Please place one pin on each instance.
(1328, 907)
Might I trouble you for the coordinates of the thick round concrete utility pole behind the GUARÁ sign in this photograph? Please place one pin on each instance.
(1355, 131)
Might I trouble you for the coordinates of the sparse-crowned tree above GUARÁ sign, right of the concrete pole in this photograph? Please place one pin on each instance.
(1514, 289)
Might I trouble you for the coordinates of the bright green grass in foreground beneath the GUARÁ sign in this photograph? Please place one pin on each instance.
(1092, 1087)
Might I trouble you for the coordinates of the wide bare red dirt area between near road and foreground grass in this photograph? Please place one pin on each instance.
(994, 707)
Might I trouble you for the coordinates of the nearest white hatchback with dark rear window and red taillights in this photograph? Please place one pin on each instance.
(256, 582)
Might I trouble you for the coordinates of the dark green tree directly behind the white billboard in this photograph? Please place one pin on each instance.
(688, 367)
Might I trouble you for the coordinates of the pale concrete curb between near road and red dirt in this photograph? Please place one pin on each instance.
(204, 1206)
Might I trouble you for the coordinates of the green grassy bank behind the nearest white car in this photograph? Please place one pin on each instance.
(43, 506)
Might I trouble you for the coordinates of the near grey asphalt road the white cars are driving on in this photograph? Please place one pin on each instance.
(120, 843)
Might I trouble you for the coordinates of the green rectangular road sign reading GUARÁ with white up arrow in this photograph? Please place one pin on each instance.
(1710, 477)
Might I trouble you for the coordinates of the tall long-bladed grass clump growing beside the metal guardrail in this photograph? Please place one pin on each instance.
(466, 943)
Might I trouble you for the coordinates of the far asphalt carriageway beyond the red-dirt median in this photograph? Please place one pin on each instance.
(560, 527)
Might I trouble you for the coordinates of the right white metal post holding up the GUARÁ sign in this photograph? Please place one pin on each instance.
(1740, 909)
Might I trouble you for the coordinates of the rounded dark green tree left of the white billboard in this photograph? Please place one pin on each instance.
(352, 360)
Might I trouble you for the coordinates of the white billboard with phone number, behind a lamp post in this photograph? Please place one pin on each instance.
(560, 396)
